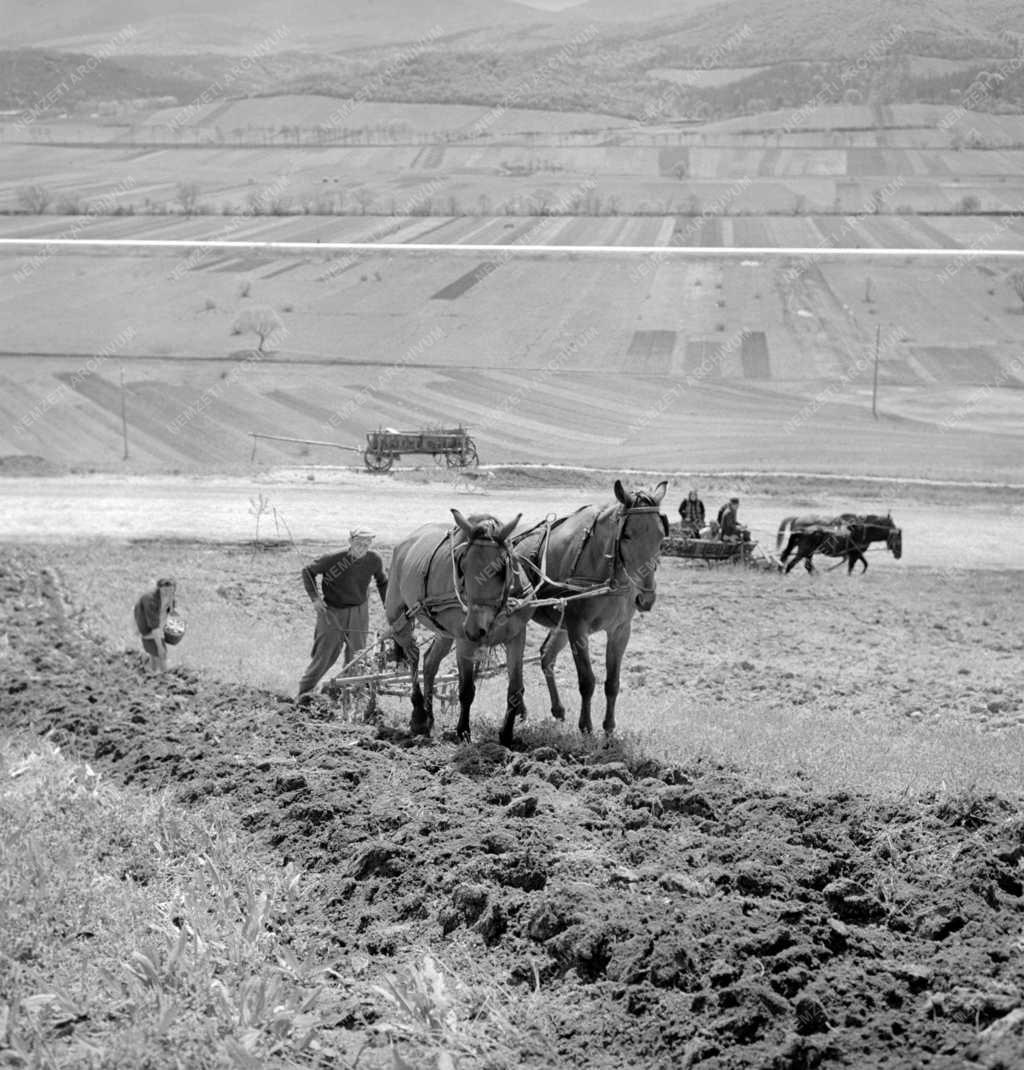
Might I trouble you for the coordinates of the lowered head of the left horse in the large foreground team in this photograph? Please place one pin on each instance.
(484, 572)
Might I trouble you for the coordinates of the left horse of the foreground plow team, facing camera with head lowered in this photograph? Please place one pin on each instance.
(464, 584)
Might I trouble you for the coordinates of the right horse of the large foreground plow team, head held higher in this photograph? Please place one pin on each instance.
(598, 565)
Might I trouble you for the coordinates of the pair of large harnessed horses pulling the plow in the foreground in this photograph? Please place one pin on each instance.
(478, 585)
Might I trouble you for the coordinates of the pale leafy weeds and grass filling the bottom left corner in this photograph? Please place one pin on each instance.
(139, 934)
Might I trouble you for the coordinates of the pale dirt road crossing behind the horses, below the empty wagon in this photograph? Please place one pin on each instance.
(323, 506)
